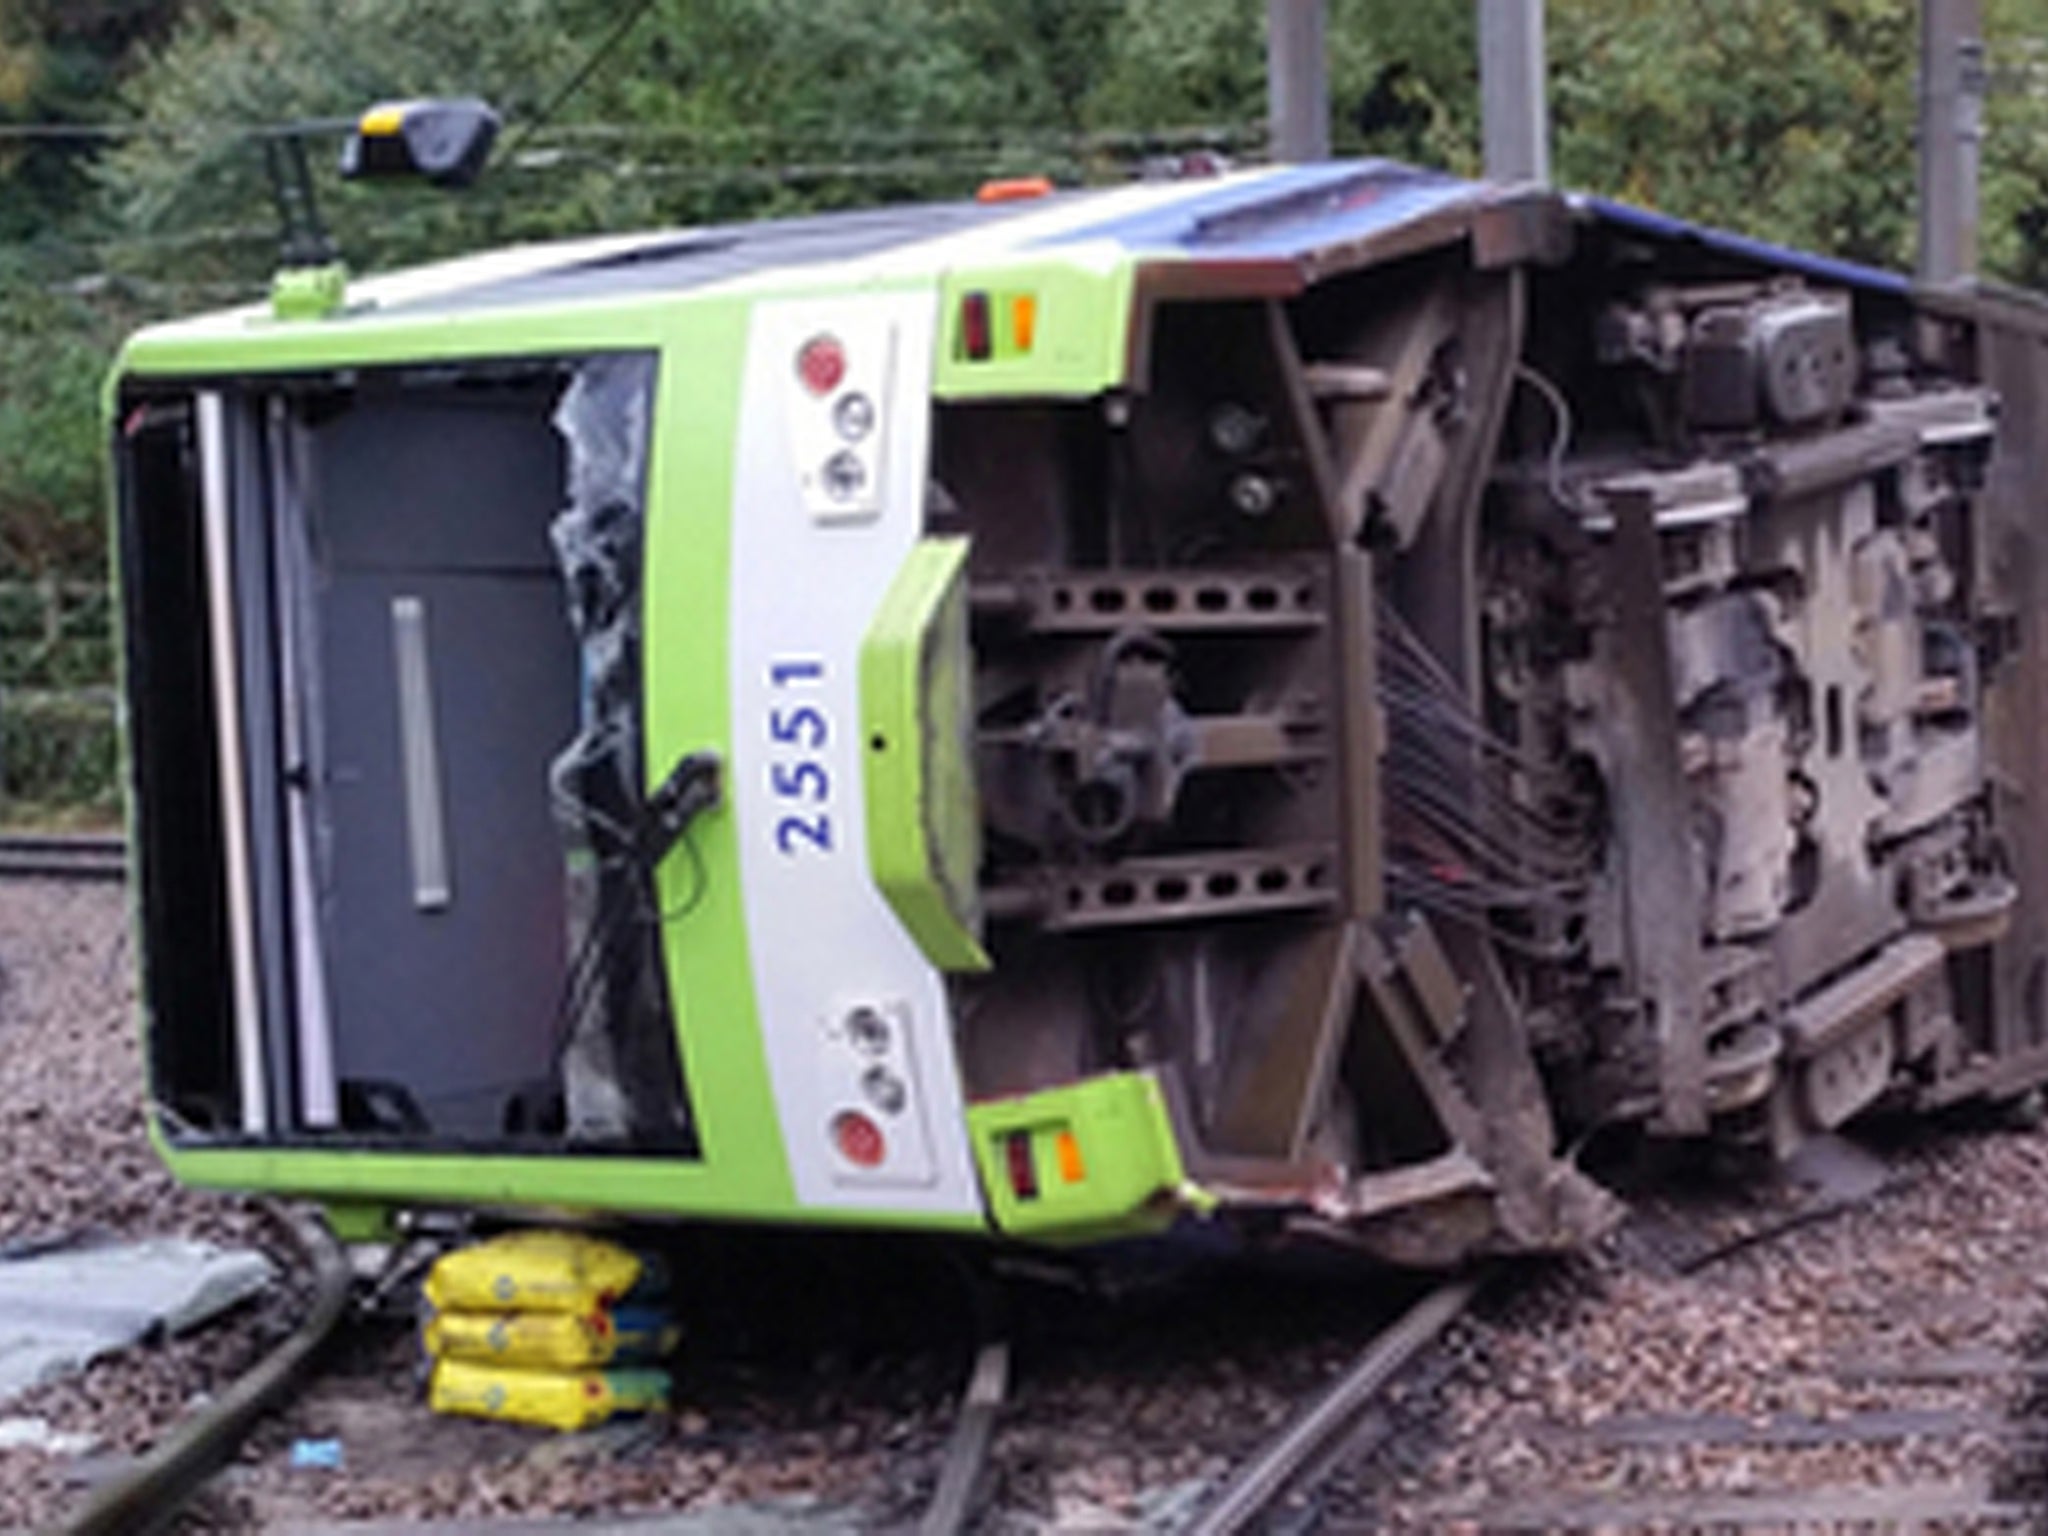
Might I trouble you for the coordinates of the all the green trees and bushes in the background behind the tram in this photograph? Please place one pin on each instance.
(1789, 120)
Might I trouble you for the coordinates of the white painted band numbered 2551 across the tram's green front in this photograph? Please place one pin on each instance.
(847, 1000)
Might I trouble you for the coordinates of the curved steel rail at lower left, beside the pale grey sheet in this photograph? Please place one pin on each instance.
(148, 1496)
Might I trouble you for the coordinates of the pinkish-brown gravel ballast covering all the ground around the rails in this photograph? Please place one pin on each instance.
(1881, 1351)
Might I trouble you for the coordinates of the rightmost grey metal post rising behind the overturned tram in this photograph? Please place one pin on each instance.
(1951, 134)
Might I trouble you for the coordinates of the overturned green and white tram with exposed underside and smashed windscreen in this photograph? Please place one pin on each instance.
(1275, 703)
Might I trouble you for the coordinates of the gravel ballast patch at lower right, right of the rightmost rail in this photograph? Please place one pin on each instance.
(1889, 1355)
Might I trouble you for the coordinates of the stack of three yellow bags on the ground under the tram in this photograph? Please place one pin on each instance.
(548, 1328)
